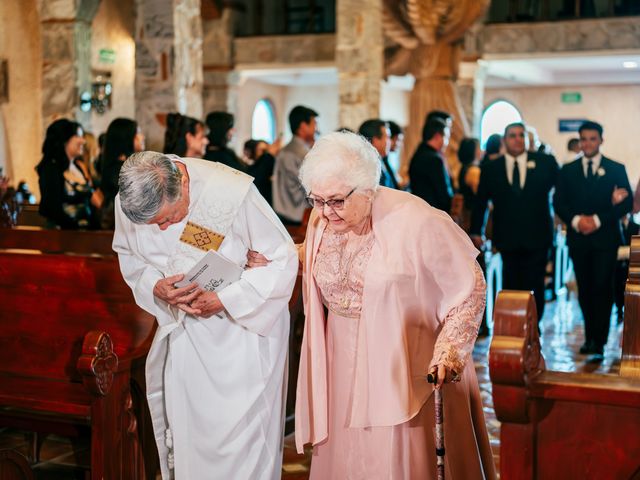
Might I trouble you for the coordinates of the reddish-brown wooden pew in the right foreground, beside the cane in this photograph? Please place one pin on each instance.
(558, 425)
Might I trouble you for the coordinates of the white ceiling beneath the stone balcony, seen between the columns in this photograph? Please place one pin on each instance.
(501, 72)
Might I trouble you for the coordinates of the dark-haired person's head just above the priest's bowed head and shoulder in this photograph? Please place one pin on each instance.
(185, 136)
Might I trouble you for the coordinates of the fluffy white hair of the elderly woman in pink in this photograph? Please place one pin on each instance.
(341, 157)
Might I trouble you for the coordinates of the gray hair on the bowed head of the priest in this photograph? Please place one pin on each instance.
(147, 181)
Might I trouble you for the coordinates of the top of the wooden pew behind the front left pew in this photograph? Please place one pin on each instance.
(78, 242)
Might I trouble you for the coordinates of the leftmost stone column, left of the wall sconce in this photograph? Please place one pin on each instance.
(66, 57)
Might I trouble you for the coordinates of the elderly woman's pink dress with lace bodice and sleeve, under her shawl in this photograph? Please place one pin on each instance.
(404, 451)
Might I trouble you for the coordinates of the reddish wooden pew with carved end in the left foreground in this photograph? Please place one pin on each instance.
(72, 350)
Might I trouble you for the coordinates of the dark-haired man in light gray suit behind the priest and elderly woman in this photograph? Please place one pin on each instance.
(288, 194)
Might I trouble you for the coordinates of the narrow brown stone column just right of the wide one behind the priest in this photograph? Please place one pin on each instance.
(218, 62)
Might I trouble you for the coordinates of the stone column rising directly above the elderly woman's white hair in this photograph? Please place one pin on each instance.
(360, 60)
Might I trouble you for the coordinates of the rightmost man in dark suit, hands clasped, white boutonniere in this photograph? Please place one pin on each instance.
(586, 203)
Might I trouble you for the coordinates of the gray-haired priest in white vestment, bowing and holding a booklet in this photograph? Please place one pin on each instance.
(216, 369)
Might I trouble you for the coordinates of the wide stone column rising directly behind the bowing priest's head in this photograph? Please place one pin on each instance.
(168, 38)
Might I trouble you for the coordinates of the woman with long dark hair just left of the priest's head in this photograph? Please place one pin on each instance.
(122, 139)
